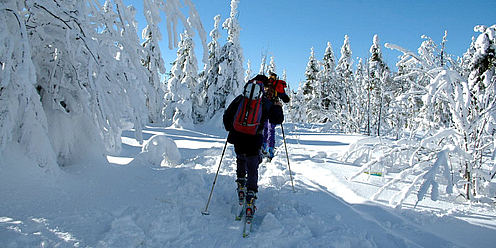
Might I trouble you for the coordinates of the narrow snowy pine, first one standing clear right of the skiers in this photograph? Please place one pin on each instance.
(311, 89)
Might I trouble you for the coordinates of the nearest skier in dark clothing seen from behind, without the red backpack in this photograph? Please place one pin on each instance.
(248, 146)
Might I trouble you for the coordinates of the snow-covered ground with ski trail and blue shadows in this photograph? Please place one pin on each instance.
(133, 201)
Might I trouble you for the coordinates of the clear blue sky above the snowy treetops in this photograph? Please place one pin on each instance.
(287, 29)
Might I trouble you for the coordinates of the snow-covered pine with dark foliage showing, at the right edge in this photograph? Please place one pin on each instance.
(480, 127)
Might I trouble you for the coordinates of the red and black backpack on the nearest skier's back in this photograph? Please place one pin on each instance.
(249, 113)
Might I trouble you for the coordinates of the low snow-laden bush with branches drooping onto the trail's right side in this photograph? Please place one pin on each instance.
(417, 164)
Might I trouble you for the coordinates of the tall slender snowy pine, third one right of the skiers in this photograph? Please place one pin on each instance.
(344, 95)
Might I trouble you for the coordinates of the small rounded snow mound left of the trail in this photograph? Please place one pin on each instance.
(160, 150)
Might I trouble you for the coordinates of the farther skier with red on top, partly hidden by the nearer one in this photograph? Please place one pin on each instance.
(274, 91)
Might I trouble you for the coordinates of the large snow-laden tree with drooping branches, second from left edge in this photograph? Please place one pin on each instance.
(81, 78)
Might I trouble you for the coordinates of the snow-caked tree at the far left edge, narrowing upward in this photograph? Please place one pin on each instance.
(22, 118)
